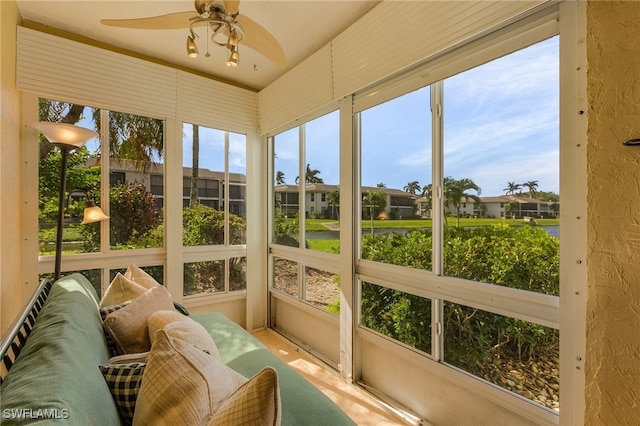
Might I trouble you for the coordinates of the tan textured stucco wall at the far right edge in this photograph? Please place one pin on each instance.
(613, 182)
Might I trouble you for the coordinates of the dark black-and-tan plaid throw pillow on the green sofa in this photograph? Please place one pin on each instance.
(124, 382)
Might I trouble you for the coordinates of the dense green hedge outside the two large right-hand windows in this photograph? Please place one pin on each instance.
(525, 258)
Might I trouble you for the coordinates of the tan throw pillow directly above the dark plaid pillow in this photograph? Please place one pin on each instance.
(128, 326)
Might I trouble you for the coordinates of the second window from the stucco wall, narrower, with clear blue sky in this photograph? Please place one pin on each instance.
(395, 173)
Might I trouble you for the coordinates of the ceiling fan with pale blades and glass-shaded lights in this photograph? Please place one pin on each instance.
(228, 26)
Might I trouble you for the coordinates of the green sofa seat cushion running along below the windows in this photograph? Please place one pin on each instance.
(302, 403)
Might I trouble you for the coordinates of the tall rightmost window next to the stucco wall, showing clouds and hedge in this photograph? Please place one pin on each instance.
(524, 257)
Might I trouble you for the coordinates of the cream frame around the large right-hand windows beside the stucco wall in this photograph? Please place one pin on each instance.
(538, 308)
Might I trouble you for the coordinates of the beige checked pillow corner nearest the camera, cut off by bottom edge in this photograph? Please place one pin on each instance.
(256, 403)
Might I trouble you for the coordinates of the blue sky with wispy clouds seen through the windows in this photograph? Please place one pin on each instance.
(501, 124)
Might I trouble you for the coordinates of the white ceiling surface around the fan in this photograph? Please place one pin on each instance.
(301, 27)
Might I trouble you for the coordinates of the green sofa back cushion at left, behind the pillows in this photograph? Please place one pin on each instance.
(56, 378)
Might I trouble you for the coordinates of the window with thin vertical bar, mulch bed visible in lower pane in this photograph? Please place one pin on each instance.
(300, 219)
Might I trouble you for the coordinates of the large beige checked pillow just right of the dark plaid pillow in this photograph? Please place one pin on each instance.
(182, 385)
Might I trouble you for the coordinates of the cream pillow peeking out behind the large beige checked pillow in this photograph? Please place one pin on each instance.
(184, 328)
